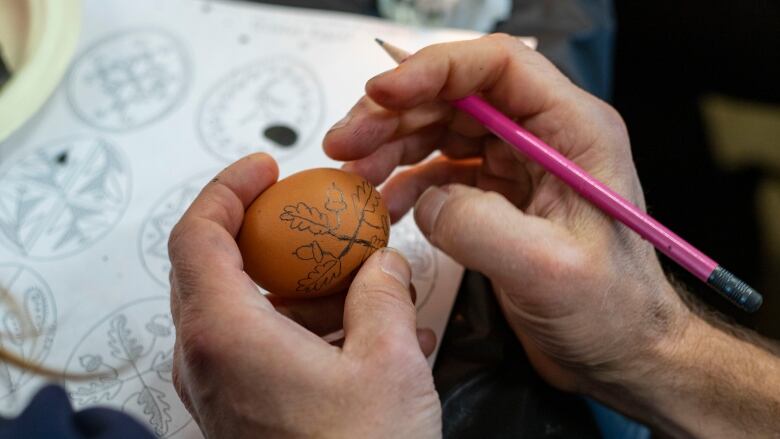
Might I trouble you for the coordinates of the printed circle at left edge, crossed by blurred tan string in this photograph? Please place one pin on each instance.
(30, 339)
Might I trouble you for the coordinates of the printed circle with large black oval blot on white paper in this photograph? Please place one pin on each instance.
(271, 105)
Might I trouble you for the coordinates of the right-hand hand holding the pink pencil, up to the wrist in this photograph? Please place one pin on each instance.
(586, 296)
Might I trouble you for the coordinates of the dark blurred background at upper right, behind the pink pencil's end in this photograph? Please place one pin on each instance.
(698, 84)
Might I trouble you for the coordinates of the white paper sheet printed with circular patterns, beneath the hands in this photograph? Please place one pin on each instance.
(160, 96)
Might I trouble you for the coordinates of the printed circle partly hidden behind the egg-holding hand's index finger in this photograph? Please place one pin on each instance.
(153, 239)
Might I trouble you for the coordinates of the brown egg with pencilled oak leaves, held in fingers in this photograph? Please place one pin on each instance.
(307, 235)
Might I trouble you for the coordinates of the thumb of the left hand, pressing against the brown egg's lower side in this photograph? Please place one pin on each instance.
(378, 312)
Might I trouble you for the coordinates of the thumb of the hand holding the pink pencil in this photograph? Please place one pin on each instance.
(485, 232)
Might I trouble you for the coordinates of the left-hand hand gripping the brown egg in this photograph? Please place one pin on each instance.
(243, 369)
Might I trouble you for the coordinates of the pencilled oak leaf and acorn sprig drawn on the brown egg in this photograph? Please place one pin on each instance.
(326, 225)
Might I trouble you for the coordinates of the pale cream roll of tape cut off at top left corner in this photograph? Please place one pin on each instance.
(37, 40)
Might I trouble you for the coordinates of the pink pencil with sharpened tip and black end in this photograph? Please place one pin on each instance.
(676, 248)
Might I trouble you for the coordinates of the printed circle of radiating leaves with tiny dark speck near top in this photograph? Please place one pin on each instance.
(62, 198)
